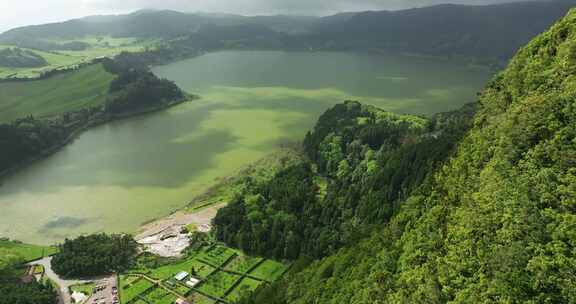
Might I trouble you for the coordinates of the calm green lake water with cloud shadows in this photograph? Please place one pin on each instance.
(119, 175)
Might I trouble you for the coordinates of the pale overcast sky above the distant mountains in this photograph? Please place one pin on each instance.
(14, 13)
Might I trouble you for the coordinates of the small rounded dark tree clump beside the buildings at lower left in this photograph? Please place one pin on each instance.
(94, 255)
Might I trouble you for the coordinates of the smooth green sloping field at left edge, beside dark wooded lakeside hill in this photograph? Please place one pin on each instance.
(58, 94)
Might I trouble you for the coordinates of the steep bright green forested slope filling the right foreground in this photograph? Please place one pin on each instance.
(495, 224)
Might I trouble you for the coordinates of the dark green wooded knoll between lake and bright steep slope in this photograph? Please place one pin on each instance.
(362, 163)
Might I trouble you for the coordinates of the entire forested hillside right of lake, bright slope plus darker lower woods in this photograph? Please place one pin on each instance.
(494, 222)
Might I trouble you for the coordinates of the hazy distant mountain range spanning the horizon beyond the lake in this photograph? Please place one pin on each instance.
(490, 32)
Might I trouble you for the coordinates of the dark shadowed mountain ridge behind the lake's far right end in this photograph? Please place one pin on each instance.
(495, 31)
